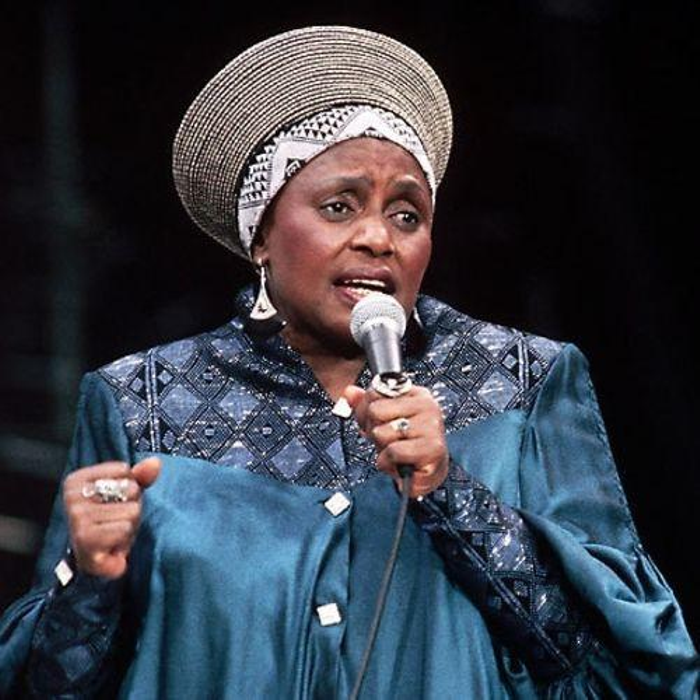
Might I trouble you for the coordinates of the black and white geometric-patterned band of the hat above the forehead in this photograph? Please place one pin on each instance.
(292, 147)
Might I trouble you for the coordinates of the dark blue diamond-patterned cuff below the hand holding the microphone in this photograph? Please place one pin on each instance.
(515, 583)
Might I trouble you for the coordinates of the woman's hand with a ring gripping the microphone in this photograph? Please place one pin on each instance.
(408, 429)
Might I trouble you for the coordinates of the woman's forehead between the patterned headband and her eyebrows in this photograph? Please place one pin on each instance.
(376, 159)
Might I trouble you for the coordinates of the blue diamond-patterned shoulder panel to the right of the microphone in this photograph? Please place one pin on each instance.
(495, 367)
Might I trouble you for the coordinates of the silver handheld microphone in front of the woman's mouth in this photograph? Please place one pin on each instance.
(377, 324)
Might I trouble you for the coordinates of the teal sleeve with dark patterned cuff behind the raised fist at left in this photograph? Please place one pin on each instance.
(54, 639)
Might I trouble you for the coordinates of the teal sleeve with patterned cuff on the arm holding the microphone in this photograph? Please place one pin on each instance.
(553, 561)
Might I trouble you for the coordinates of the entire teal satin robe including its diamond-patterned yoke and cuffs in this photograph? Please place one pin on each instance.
(234, 556)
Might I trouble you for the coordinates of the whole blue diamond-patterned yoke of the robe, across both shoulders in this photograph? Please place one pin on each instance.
(256, 405)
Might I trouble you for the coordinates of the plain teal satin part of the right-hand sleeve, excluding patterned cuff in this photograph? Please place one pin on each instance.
(571, 497)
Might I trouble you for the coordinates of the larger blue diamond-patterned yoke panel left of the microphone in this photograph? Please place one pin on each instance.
(215, 397)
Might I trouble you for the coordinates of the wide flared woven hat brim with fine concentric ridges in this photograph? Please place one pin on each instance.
(285, 79)
